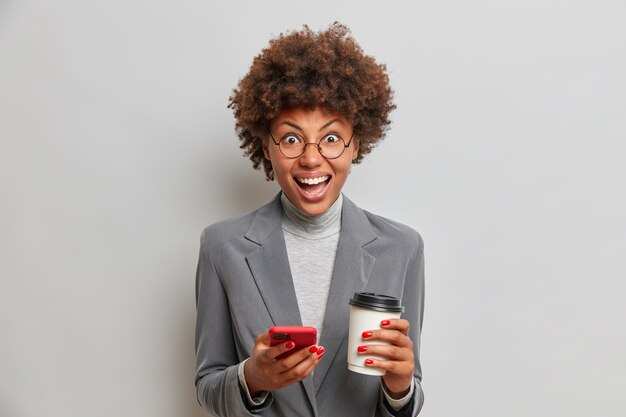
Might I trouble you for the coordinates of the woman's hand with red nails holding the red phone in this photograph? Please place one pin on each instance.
(263, 372)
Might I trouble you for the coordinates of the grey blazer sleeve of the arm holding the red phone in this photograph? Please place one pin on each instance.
(217, 383)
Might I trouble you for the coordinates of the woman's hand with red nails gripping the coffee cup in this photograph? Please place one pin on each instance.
(399, 353)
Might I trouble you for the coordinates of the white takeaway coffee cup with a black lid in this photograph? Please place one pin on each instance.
(367, 310)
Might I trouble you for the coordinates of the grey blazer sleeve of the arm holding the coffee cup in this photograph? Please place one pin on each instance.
(413, 300)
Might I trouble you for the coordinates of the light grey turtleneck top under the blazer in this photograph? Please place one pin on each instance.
(311, 243)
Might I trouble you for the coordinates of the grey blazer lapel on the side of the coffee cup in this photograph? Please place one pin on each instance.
(351, 272)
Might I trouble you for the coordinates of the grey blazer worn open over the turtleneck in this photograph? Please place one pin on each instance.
(244, 286)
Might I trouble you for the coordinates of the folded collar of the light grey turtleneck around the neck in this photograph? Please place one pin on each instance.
(308, 226)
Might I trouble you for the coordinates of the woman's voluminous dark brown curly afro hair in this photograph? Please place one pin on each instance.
(325, 69)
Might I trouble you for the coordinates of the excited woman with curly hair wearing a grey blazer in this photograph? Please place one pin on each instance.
(311, 105)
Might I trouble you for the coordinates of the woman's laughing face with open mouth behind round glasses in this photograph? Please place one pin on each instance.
(311, 182)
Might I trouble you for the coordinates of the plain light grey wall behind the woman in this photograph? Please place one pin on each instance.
(507, 153)
